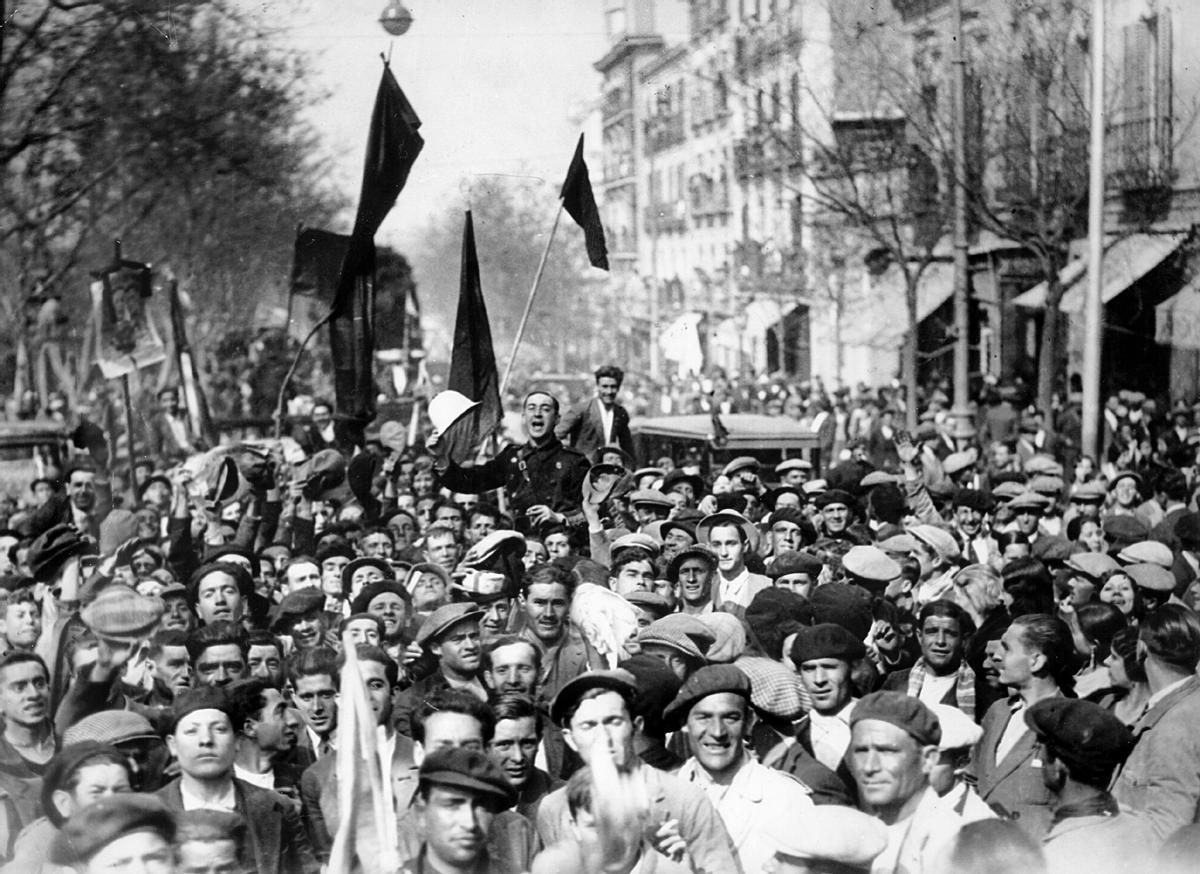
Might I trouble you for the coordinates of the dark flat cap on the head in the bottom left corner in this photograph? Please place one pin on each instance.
(95, 827)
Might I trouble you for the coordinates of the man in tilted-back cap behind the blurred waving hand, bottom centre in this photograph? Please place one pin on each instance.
(595, 714)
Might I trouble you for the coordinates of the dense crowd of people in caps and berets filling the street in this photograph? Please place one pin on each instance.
(927, 655)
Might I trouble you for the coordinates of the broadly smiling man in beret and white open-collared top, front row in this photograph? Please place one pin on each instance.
(759, 806)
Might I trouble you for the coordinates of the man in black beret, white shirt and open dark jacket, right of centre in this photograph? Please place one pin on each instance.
(825, 659)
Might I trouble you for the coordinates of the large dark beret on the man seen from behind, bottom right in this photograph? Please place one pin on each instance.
(1085, 737)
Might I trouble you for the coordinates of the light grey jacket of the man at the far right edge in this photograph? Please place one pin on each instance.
(1161, 780)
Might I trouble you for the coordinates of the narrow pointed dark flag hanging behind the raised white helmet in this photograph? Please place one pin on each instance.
(473, 360)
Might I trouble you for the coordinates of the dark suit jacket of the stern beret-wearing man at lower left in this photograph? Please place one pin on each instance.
(277, 836)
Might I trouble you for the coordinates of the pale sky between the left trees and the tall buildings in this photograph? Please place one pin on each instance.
(502, 87)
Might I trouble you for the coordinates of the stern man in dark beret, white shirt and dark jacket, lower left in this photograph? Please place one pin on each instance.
(202, 740)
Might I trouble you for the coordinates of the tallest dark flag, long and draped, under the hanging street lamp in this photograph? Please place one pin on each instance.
(393, 147)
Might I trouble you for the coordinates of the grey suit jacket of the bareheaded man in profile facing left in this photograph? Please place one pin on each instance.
(1012, 787)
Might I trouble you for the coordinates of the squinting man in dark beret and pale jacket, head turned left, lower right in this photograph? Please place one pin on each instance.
(893, 752)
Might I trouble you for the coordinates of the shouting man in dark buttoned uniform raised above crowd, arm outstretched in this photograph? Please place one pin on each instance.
(543, 478)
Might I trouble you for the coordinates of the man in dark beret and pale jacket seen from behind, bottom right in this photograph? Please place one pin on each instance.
(1082, 746)
